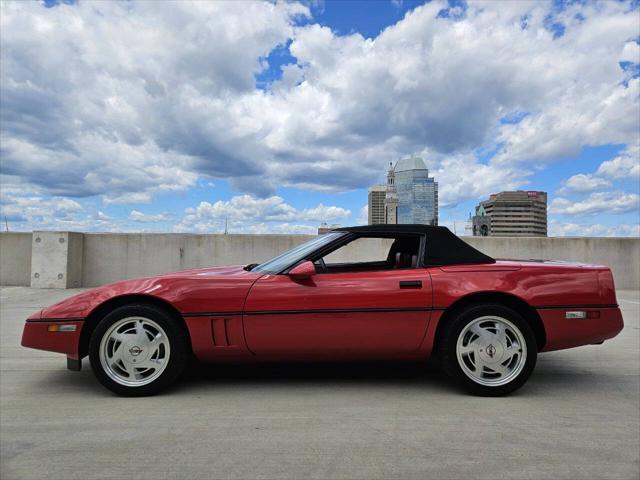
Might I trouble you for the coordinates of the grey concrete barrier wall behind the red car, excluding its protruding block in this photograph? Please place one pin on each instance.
(111, 257)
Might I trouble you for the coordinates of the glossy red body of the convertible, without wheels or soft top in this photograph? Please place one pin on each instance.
(234, 314)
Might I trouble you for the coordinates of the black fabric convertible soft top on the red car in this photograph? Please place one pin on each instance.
(443, 247)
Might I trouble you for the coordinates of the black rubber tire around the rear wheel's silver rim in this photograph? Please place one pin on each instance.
(454, 367)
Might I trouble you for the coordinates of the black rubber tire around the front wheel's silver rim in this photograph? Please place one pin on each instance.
(178, 341)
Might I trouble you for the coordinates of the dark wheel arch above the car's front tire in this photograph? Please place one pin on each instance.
(101, 310)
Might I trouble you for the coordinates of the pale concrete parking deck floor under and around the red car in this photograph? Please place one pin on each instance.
(578, 417)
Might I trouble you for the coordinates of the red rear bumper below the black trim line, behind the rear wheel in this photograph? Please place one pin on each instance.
(567, 333)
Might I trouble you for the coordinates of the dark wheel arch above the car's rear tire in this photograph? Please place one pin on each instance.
(508, 300)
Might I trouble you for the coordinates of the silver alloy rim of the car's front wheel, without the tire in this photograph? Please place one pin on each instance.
(134, 351)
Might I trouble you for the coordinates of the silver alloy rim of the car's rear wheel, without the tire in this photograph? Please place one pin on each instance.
(491, 351)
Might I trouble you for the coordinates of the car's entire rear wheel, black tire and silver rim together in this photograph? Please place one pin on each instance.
(490, 349)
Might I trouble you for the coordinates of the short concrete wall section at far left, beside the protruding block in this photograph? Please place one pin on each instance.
(15, 258)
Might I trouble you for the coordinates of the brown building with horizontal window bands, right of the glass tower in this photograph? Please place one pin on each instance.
(512, 214)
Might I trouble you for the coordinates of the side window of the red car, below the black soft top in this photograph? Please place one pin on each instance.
(372, 254)
